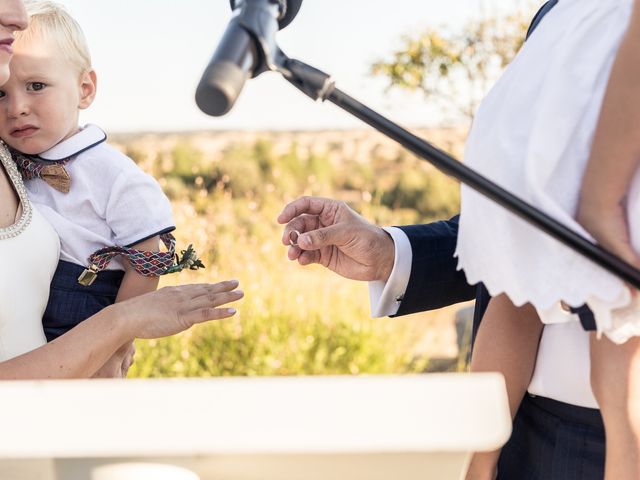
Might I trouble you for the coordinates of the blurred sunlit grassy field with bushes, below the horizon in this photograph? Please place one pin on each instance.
(293, 320)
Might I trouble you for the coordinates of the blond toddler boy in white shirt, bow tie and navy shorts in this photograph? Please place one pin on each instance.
(110, 216)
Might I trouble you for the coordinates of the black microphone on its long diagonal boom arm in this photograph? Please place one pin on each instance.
(259, 20)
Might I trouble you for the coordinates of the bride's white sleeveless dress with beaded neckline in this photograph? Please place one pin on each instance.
(28, 257)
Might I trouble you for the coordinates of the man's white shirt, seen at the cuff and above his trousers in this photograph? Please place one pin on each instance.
(562, 367)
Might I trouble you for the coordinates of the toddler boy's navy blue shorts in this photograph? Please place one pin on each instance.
(70, 303)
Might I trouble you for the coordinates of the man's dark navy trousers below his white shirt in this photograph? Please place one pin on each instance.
(552, 440)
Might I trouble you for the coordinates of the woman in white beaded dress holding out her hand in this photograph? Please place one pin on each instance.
(29, 249)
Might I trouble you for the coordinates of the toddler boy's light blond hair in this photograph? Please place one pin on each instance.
(52, 22)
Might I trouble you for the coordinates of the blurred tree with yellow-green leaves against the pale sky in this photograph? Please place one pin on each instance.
(455, 69)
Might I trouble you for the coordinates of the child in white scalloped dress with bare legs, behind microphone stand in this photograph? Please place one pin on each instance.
(542, 156)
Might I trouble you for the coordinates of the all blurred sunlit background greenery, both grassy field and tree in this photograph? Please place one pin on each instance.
(228, 188)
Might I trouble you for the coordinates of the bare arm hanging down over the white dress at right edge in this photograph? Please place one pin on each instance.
(615, 153)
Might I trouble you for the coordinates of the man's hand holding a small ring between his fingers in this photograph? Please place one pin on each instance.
(338, 238)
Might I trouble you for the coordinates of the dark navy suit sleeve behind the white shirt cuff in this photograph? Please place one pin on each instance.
(435, 281)
